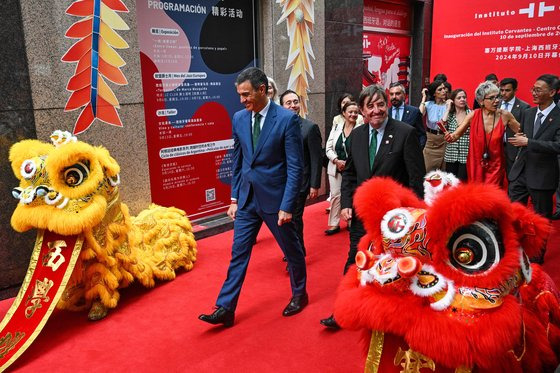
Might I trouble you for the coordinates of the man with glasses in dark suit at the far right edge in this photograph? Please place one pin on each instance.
(535, 171)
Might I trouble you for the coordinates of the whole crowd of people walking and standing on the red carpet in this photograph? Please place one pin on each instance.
(502, 141)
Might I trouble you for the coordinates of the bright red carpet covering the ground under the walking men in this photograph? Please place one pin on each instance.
(157, 330)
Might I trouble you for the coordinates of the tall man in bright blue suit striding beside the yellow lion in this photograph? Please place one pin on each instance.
(267, 174)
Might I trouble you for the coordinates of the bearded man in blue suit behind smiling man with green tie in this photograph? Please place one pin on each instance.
(406, 113)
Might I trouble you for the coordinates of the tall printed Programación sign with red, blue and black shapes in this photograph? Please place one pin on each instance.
(190, 54)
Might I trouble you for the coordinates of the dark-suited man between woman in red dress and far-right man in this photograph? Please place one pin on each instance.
(508, 87)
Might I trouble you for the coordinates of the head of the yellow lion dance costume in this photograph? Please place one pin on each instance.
(64, 188)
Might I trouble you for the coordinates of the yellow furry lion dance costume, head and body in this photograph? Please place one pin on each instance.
(71, 188)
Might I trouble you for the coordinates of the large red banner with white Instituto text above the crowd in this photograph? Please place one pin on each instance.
(517, 38)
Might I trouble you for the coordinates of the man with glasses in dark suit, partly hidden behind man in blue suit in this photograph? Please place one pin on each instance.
(312, 160)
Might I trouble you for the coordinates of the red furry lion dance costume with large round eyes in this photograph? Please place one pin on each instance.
(448, 287)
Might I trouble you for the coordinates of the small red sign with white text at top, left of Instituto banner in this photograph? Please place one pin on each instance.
(386, 17)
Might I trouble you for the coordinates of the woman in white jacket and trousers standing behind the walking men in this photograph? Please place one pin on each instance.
(336, 152)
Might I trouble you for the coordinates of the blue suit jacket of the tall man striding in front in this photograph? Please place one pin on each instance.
(273, 172)
